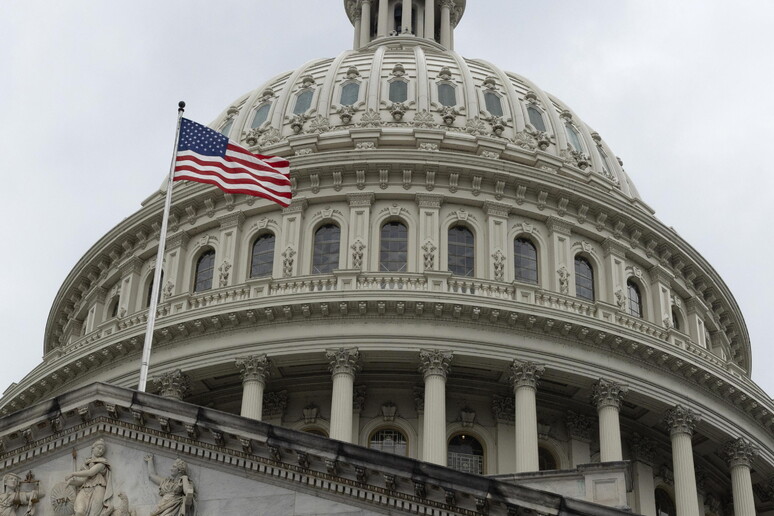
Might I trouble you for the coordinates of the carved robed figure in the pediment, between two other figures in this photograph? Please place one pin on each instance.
(94, 489)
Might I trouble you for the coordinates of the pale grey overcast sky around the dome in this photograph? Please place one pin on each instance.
(682, 91)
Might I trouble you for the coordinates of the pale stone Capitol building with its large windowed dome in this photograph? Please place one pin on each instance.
(467, 277)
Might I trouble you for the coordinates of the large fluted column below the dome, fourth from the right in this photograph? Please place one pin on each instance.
(524, 377)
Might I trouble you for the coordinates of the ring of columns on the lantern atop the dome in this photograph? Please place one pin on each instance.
(422, 25)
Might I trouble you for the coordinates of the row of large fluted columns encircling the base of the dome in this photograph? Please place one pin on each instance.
(607, 396)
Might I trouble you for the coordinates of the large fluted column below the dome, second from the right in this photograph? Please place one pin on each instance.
(681, 422)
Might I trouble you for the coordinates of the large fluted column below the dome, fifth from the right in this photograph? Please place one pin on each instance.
(434, 365)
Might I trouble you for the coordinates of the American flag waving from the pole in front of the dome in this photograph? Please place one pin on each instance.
(206, 156)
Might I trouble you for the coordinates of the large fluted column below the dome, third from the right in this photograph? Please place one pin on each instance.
(607, 397)
